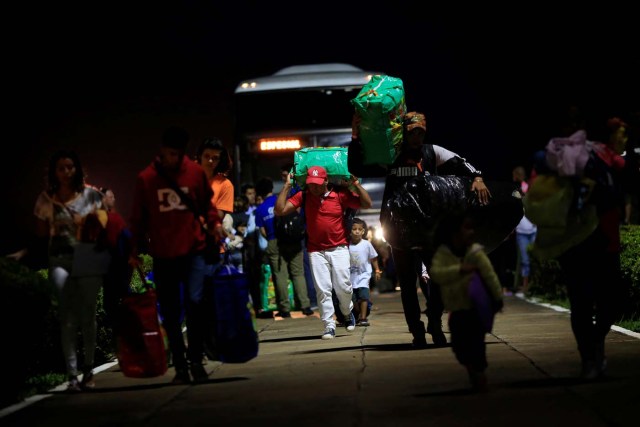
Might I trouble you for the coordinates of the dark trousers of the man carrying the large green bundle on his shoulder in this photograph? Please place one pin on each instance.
(408, 265)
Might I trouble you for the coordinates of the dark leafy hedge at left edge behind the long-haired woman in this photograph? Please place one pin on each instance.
(31, 331)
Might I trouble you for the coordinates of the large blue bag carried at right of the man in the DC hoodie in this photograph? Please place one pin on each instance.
(236, 333)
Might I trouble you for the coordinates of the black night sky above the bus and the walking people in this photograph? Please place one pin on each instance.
(106, 79)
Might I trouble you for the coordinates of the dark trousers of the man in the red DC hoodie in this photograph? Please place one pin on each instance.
(168, 275)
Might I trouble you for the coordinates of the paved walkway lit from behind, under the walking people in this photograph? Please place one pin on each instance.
(372, 377)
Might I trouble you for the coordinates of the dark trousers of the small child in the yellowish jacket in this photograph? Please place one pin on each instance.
(467, 339)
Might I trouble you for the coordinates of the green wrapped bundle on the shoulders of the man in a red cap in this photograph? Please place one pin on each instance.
(332, 159)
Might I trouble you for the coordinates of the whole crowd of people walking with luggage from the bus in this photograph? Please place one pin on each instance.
(186, 216)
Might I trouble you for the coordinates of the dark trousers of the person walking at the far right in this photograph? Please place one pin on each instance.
(596, 293)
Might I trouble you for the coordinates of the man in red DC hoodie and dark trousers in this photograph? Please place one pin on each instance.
(170, 223)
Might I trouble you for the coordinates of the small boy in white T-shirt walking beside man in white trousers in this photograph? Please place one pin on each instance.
(363, 257)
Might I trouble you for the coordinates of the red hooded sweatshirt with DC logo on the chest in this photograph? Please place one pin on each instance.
(159, 214)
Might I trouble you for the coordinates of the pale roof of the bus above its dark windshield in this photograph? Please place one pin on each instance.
(329, 75)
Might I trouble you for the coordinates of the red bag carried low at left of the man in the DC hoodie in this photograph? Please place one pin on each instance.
(141, 346)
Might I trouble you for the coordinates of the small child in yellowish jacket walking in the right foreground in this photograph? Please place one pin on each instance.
(457, 259)
